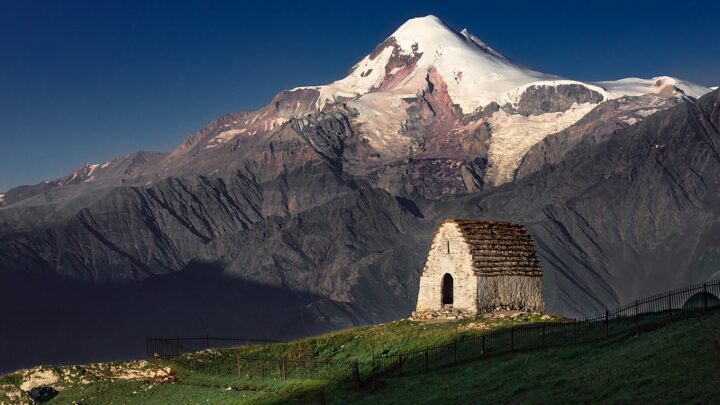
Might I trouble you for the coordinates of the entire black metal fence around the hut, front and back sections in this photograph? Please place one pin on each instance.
(628, 319)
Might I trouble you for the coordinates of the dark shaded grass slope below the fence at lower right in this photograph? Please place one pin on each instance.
(679, 363)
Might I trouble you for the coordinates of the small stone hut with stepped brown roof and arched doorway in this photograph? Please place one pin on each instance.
(480, 266)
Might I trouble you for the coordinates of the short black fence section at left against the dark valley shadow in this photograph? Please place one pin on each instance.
(175, 346)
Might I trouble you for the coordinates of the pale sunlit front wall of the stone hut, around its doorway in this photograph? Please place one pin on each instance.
(457, 263)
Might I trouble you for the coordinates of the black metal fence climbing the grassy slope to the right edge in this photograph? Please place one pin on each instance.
(641, 315)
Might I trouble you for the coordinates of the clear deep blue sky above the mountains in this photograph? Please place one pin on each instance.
(82, 81)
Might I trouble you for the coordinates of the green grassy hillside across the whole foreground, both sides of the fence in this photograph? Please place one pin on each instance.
(676, 363)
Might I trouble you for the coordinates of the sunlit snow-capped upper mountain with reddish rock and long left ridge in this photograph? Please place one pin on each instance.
(428, 92)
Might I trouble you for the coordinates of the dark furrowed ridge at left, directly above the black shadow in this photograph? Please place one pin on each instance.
(135, 233)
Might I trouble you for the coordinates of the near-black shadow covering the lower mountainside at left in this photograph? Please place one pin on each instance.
(49, 320)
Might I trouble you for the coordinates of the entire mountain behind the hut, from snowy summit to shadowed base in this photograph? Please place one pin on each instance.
(325, 200)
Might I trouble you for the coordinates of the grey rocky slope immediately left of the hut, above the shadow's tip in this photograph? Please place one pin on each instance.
(339, 250)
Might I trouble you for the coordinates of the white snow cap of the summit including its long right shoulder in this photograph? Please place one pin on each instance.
(475, 74)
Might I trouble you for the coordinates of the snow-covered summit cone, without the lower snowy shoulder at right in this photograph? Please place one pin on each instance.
(475, 73)
